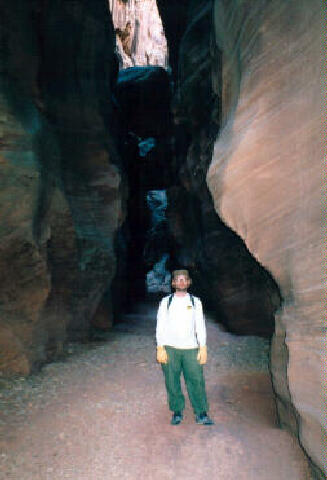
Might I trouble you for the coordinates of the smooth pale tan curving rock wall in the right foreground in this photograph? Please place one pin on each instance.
(265, 179)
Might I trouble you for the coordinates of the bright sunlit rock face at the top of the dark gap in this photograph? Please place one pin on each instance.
(139, 34)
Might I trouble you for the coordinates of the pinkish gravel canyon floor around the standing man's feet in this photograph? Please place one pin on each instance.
(100, 413)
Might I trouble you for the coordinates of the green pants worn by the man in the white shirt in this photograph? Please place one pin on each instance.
(180, 360)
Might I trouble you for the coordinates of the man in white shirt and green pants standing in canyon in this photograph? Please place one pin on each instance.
(181, 347)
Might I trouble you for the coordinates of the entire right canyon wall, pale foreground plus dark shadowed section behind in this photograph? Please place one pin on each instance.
(258, 77)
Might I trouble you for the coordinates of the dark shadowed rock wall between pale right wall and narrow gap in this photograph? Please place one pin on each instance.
(232, 284)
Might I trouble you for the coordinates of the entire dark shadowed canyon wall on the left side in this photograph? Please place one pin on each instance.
(61, 190)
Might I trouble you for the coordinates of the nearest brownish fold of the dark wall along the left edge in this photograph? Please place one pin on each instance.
(24, 280)
